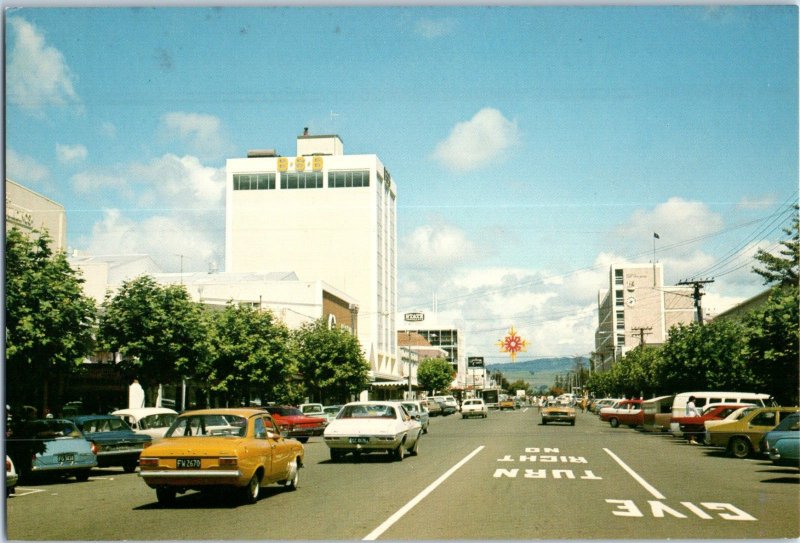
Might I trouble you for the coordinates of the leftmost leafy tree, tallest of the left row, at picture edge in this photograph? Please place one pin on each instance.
(49, 321)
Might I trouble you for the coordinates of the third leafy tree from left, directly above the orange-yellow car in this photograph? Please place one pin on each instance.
(249, 352)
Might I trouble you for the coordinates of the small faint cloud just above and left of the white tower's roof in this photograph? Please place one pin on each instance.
(202, 133)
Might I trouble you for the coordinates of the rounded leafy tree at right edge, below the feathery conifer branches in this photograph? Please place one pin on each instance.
(772, 342)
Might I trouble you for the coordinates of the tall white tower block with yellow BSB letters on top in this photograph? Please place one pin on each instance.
(326, 216)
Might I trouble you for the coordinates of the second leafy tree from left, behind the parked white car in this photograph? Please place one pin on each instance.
(159, 331)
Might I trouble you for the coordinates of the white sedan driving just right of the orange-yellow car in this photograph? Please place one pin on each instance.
(365, 427)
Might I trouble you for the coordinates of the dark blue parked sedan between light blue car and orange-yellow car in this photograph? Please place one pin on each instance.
(113, 441)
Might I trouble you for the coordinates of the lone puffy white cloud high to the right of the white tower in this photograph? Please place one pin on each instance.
(477, 142)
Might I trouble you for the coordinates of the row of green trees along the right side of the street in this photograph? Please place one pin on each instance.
(758, 352)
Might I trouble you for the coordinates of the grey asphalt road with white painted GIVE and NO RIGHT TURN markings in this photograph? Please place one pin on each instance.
(504, 477)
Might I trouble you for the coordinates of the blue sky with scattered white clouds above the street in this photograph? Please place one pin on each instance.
(531, 146)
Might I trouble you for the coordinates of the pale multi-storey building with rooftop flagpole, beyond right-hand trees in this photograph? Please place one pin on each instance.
(636, 309)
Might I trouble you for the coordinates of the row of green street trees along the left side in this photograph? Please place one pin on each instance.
(231, 354)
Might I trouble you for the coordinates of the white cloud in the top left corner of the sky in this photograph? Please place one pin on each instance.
(37, 74)
